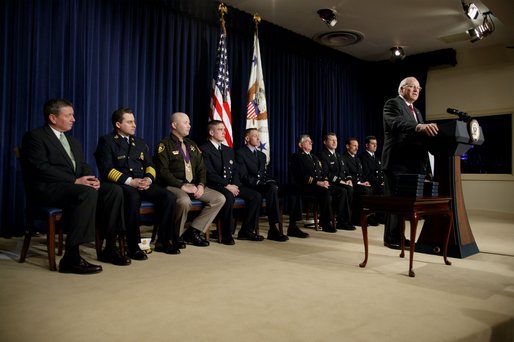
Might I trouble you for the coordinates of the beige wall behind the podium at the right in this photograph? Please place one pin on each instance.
(482, 83)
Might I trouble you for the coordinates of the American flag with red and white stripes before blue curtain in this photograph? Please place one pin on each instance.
(220, 99)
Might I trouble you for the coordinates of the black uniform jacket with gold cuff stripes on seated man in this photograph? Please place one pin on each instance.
(118, 160)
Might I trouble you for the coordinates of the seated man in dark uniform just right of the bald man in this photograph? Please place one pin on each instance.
(222, 176)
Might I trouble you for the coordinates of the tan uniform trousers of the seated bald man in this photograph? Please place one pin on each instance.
(213, 201)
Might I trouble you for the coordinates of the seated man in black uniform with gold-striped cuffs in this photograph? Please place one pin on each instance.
(124, 159)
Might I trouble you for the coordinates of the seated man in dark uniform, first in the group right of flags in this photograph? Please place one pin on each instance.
(308, 179)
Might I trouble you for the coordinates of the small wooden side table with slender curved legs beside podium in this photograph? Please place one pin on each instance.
(408, 208)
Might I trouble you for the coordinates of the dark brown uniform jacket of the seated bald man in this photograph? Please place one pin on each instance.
(170, 162)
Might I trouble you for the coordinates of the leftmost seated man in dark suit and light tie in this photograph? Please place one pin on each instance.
(57, 175)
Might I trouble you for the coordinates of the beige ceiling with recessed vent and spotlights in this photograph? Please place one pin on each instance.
(416, 25)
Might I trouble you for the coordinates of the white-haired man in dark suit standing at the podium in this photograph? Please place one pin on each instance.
(404, 150)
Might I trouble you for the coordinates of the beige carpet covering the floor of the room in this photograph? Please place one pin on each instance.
(302, 290)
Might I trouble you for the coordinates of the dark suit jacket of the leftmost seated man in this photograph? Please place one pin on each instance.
(45, 161)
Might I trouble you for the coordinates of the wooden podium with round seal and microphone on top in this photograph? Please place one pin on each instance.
(454, 139)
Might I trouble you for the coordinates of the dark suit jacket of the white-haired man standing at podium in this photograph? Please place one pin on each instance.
(404, 150)
